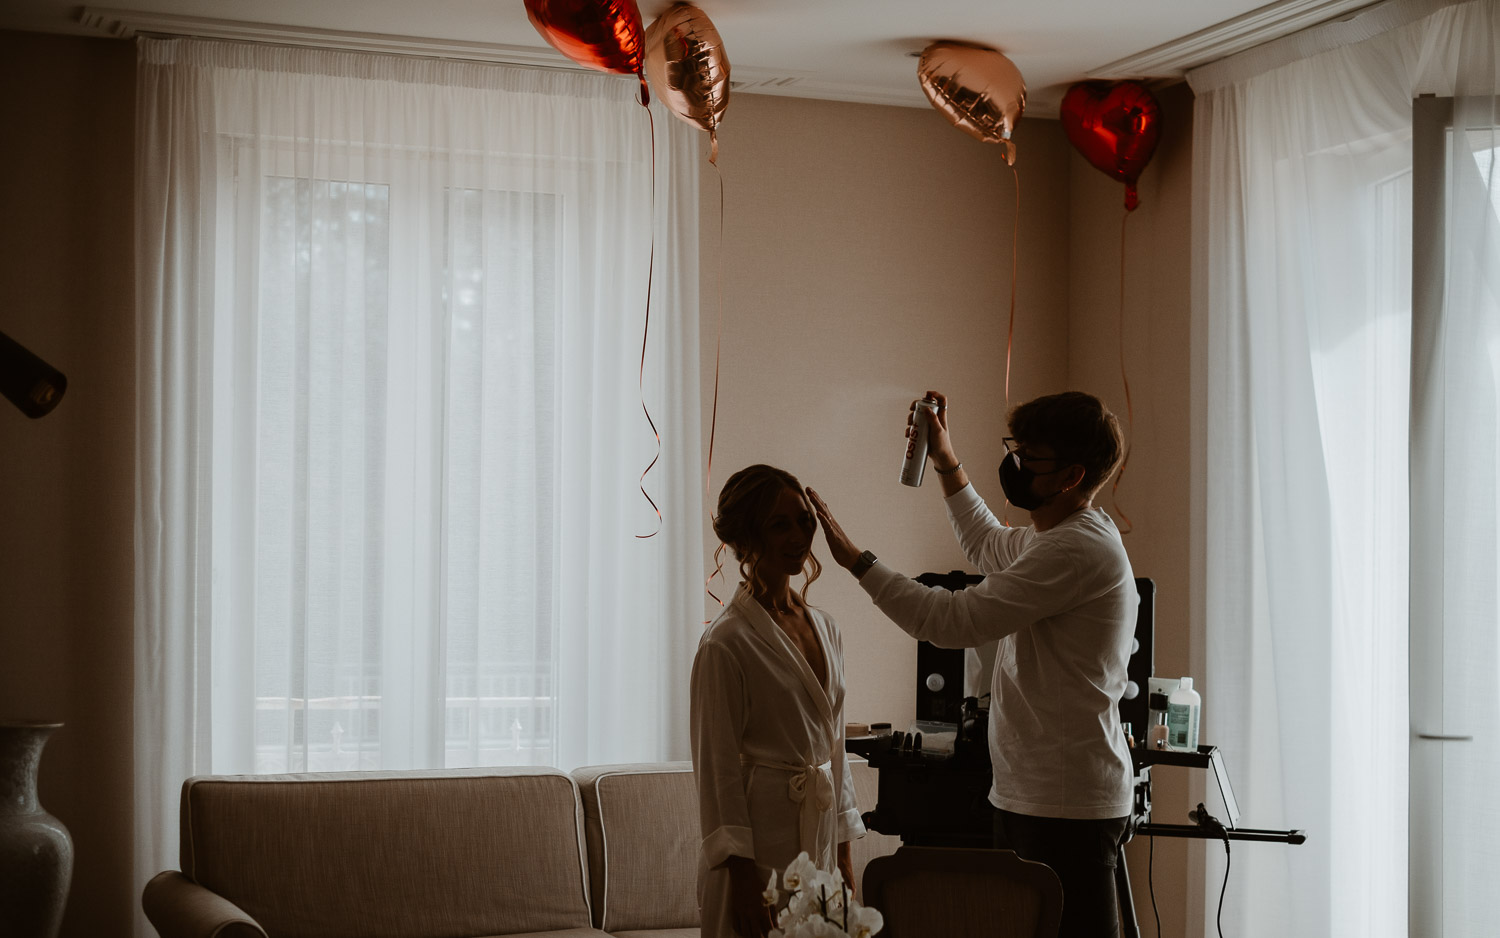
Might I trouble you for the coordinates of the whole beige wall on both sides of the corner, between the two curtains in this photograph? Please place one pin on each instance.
(868, 259)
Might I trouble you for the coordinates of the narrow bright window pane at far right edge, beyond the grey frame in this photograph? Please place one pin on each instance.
(1456, 513)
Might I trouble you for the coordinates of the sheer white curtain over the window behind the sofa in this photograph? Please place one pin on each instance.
(391, 425)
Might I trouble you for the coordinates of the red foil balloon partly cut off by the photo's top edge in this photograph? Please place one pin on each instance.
(604, 35)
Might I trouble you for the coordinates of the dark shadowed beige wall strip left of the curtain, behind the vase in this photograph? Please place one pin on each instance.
(67, 481)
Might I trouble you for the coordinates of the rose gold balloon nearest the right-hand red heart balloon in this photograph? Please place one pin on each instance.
(977, 89)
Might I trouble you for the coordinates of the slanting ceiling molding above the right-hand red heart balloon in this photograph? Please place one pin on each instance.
(1174, 59)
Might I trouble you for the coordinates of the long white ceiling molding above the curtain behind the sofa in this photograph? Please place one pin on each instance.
(127, 25)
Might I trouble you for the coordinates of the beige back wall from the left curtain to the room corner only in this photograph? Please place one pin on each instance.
(868, 259)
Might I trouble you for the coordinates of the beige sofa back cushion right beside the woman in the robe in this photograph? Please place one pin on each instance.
(643, 846)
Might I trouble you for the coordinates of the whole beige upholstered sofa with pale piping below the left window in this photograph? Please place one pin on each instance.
(608, 850)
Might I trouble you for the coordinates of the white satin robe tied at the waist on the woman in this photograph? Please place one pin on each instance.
(769, 753)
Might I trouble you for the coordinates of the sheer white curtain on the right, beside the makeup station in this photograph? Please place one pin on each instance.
(1304, 197)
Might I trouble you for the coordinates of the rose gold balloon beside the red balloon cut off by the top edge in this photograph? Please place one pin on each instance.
(689, 70)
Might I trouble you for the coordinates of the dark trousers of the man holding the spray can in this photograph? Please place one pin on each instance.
(1084, 855)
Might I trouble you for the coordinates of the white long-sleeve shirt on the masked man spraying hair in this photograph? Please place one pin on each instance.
(1063, 604)
